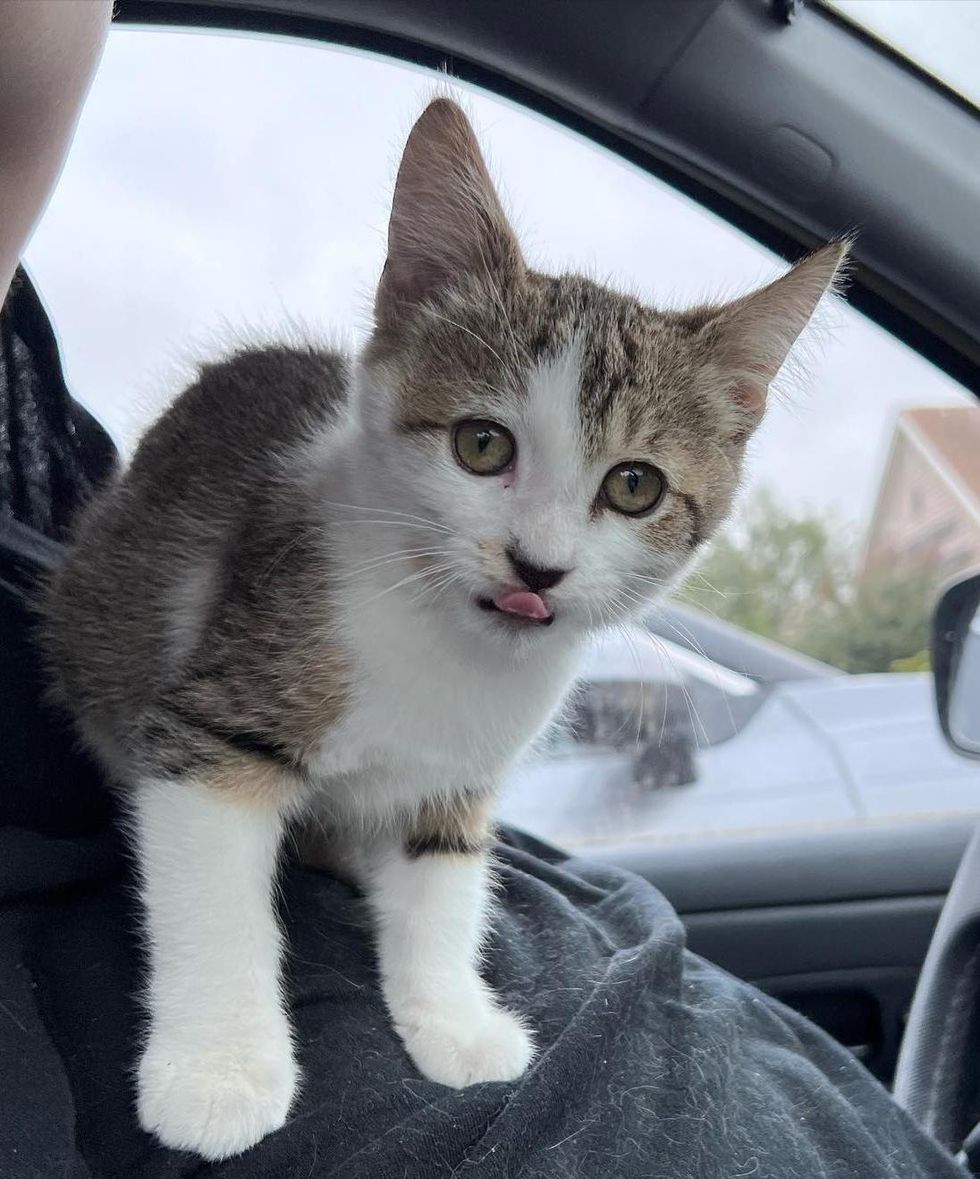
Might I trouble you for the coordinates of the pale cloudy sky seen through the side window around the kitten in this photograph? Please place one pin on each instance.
(222, 186)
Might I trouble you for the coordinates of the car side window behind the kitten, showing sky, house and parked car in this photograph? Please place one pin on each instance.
(227, 187)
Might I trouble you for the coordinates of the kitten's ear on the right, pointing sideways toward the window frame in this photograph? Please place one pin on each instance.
(754, 335)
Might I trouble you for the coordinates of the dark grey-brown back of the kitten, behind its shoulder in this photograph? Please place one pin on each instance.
(150, 551)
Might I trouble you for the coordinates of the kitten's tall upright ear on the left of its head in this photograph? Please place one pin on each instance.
(446, 218)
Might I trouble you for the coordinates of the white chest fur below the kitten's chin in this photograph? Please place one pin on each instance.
(435, 710)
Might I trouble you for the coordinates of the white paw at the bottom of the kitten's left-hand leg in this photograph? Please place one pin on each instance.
(216, 1099)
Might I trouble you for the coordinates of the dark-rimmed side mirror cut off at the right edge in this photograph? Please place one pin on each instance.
(957, 664)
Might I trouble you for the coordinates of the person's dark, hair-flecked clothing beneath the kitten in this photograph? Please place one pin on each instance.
(653, 1064)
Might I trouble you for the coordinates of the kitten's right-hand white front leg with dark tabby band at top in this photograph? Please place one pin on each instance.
(431, 894)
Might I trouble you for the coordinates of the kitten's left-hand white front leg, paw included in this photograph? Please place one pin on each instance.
(218, 1072)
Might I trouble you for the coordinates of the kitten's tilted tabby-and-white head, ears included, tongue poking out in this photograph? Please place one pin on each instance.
(571, 447)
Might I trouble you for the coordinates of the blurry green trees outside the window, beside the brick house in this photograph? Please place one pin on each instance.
(794, 579)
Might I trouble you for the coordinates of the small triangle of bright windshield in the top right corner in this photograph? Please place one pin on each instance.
(942, 38)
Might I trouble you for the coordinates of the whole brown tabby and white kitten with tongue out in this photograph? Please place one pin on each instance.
(348, 594)
